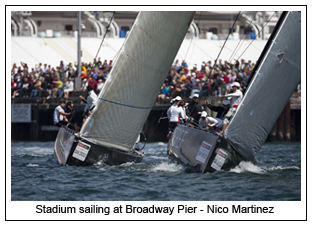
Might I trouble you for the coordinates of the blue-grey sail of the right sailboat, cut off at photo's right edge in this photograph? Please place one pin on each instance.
(274, 82)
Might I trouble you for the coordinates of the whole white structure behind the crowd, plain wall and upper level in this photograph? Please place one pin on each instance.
(51, 36)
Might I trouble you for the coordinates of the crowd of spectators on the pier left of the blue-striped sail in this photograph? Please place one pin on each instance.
(51, 82)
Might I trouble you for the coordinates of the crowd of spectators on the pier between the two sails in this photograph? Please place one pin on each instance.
(206, 80)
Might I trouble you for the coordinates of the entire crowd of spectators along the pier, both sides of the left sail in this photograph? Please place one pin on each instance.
(182, 80)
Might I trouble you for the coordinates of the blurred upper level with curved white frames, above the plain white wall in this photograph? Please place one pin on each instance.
(206, 24)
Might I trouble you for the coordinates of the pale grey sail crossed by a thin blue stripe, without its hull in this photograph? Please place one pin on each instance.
(136, 78)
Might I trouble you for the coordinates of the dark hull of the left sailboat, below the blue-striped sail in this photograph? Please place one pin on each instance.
(73, 150)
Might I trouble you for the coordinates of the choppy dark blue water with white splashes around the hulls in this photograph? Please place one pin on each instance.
(37, 176)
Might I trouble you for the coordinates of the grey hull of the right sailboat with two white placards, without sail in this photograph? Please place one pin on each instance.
(202, 151)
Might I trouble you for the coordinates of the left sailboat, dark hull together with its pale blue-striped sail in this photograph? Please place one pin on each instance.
(110, 133)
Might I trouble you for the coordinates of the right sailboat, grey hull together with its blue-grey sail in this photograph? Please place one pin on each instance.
(273, 80)
